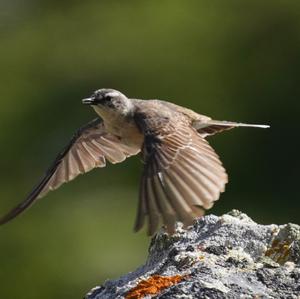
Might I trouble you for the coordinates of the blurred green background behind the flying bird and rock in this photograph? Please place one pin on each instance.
(233, 60)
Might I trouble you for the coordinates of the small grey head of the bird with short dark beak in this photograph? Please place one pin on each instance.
(109, 101)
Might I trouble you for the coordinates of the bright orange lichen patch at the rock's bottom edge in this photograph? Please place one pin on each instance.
(152, 286)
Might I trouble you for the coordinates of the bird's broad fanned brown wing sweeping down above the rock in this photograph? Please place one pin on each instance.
(182, 174)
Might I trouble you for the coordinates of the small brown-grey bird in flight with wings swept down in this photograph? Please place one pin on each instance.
(182, 174)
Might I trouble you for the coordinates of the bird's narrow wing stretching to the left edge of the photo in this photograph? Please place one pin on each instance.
(88, 149)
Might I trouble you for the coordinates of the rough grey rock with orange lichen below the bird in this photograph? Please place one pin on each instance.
(218, 257)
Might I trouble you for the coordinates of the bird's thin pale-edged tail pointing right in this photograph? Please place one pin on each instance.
(211, 127)
